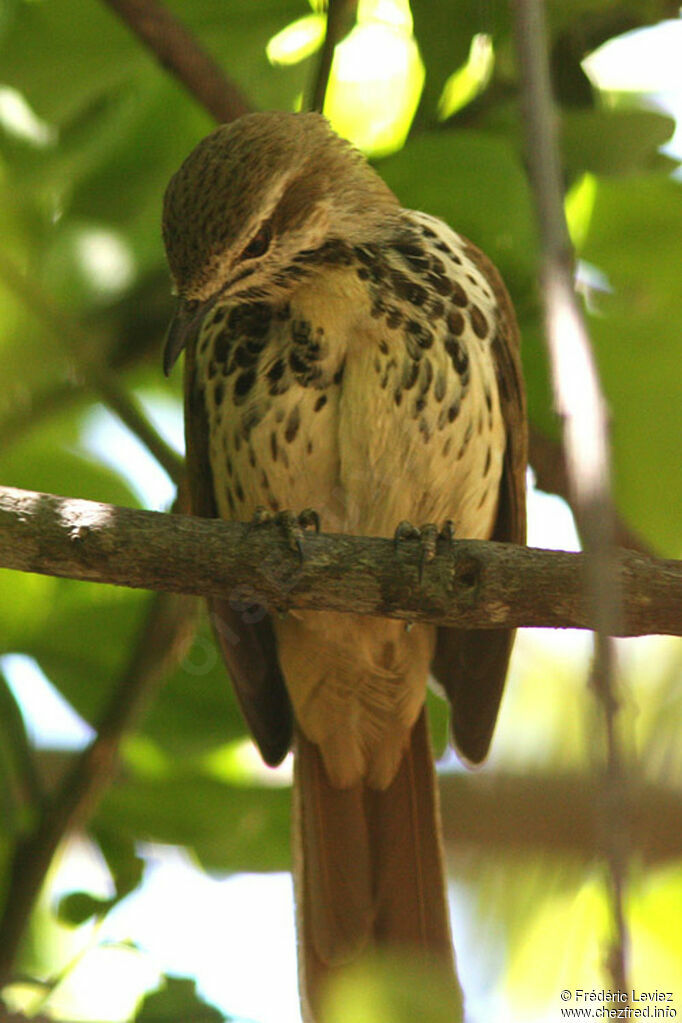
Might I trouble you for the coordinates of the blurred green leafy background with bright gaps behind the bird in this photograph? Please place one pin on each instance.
(90, 130)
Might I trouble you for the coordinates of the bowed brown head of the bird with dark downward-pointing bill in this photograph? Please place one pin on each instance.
(254, 196)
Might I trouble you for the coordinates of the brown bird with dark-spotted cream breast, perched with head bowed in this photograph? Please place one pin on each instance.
(351, 357)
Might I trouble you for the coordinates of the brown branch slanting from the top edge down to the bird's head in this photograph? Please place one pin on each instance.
(178, 51)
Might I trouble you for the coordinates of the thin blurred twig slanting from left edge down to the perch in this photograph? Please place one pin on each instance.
(100, 378)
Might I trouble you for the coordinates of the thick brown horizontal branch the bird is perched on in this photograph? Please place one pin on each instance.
(470, 584)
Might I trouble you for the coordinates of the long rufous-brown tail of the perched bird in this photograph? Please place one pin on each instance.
(369, 868)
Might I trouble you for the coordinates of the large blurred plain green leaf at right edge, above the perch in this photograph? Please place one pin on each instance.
(634, 239)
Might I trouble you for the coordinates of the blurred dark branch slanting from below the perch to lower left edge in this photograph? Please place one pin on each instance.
(162, 639)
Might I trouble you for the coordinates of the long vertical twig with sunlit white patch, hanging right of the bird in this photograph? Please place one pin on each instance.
(581, 405)
